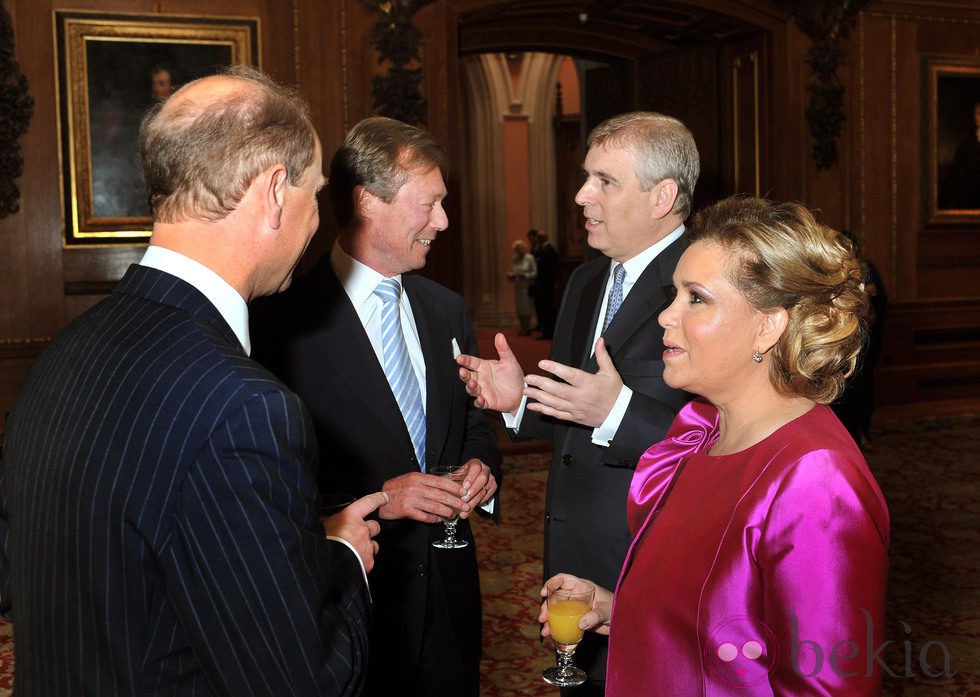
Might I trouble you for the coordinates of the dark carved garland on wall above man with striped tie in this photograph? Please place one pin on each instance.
(397, 41)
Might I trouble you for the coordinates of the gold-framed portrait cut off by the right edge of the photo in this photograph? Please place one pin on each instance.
(953, 119)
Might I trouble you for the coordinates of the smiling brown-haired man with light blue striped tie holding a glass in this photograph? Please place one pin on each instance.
(327, 338)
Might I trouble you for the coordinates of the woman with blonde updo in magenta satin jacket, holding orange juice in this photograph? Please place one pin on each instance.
(759, 559)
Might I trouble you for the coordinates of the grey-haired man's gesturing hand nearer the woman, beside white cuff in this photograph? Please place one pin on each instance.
(584, 398)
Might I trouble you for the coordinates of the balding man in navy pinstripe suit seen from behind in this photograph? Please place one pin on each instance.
(158, 506)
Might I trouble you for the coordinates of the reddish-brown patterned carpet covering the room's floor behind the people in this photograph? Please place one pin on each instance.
(929, 471)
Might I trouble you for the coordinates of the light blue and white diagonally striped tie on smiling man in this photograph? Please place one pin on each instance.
(398, 366)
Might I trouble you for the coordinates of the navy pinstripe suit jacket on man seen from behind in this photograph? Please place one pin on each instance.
(159, 519)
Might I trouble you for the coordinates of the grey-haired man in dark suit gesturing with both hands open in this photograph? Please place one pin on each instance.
(607, 401)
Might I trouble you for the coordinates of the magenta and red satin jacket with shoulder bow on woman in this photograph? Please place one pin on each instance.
(757, 573)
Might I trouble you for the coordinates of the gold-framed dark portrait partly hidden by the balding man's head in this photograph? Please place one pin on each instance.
(110, 69)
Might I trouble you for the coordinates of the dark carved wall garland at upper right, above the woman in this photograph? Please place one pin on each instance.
(827, 23)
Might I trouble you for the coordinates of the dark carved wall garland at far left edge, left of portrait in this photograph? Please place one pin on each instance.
(16, 109)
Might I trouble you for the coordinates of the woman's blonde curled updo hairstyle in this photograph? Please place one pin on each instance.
(782, 257)
